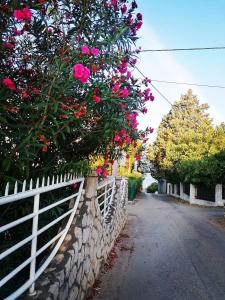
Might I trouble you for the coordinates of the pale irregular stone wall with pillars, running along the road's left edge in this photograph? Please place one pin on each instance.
(75, 268)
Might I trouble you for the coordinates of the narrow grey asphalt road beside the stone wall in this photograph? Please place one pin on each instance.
(169, 251)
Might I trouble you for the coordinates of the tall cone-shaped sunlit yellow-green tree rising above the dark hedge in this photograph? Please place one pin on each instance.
(184, 134)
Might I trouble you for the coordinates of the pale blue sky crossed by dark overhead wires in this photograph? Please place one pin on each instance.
(183, 24)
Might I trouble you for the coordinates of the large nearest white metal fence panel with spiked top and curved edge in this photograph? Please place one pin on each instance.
(55, 242)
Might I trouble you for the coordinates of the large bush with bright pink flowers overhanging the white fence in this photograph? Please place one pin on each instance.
(66, 84)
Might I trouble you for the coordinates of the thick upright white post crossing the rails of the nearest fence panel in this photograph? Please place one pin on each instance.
(34, 243)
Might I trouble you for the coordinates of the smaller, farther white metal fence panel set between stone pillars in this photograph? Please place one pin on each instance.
(105, 191)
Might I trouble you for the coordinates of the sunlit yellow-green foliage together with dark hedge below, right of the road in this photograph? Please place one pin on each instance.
(188, 147)
